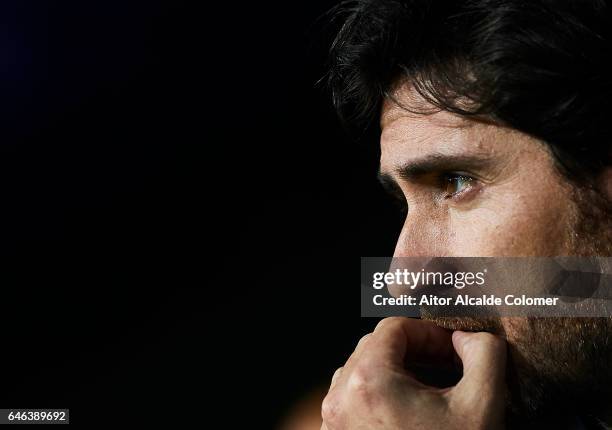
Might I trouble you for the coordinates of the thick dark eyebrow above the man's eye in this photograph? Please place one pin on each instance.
(414, 169)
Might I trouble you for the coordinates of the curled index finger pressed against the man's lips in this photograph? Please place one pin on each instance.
(398, 340)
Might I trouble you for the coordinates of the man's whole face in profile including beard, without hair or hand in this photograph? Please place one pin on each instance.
(474, 189)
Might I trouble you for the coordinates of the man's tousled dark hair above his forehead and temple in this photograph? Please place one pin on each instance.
(541, 67)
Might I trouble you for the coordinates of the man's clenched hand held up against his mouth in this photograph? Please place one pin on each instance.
(375, 391)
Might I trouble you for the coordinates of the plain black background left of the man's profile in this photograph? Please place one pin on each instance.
(182, 216)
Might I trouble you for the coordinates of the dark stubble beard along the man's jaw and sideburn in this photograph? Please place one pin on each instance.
(559, 364)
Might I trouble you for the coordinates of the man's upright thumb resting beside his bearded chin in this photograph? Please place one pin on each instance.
(484, 362)
